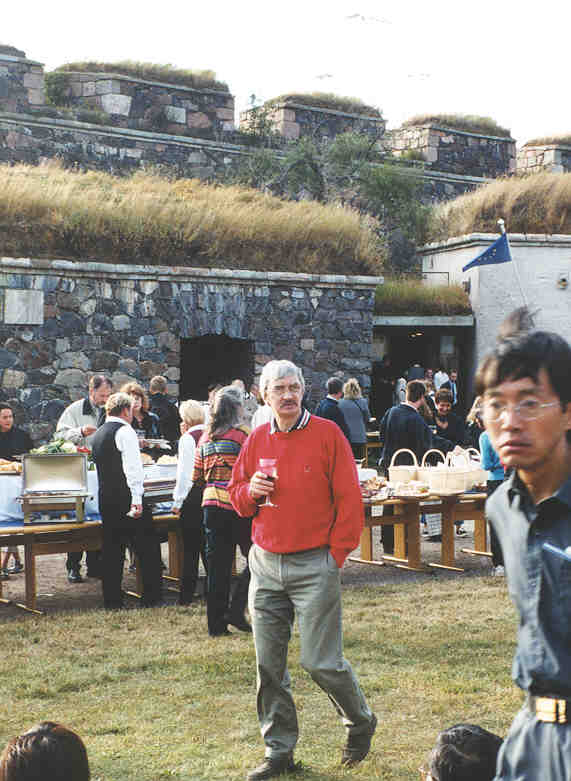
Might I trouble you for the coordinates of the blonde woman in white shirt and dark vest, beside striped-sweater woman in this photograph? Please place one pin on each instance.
(187, 498)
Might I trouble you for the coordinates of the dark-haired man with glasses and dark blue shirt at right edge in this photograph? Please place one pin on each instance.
(526, 393)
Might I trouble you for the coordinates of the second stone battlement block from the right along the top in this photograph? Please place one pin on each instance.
(456, 151)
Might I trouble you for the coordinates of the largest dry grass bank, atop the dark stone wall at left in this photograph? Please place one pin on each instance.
(48, 211)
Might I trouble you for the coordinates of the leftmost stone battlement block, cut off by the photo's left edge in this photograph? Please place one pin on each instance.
(21, 81)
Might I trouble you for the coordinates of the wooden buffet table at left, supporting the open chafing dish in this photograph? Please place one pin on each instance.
(42, 539)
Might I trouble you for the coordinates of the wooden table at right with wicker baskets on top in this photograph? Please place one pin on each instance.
(406, 520)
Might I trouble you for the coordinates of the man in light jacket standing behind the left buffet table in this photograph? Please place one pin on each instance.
(78, 423)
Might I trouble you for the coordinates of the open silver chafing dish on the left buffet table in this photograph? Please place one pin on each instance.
(54, 483)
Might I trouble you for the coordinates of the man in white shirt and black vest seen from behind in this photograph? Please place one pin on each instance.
(126, 520)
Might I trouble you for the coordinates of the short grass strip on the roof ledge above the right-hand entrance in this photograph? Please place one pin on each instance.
(405, 297)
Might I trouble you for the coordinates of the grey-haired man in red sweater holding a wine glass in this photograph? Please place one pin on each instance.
(300, 543)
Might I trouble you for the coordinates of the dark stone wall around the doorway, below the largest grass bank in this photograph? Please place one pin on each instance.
(63, 321)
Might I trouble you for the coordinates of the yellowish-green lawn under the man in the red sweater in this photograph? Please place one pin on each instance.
(155, 698)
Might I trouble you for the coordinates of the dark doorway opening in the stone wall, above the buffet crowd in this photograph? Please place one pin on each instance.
(206, 360)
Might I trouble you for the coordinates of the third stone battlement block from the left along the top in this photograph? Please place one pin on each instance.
(294, 121)
